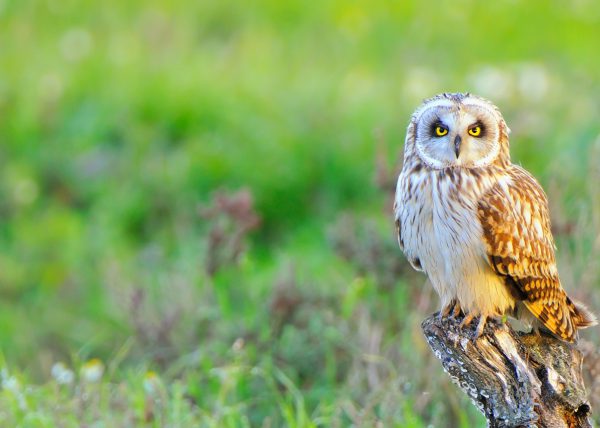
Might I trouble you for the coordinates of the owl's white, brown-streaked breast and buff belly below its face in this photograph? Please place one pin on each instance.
(440, 228)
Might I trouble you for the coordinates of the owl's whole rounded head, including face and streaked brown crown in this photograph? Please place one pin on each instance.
(458, 130)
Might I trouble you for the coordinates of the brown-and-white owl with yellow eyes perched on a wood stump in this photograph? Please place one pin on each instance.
(476, 224)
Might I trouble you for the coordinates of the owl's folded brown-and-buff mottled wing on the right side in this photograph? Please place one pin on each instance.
(516, 229)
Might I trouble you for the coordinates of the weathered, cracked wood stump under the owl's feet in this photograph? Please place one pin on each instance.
(515, 379)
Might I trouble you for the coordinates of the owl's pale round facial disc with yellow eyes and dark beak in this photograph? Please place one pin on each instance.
(457, 135)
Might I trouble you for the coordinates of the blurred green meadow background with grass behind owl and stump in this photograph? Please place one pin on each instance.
(195, 201)
